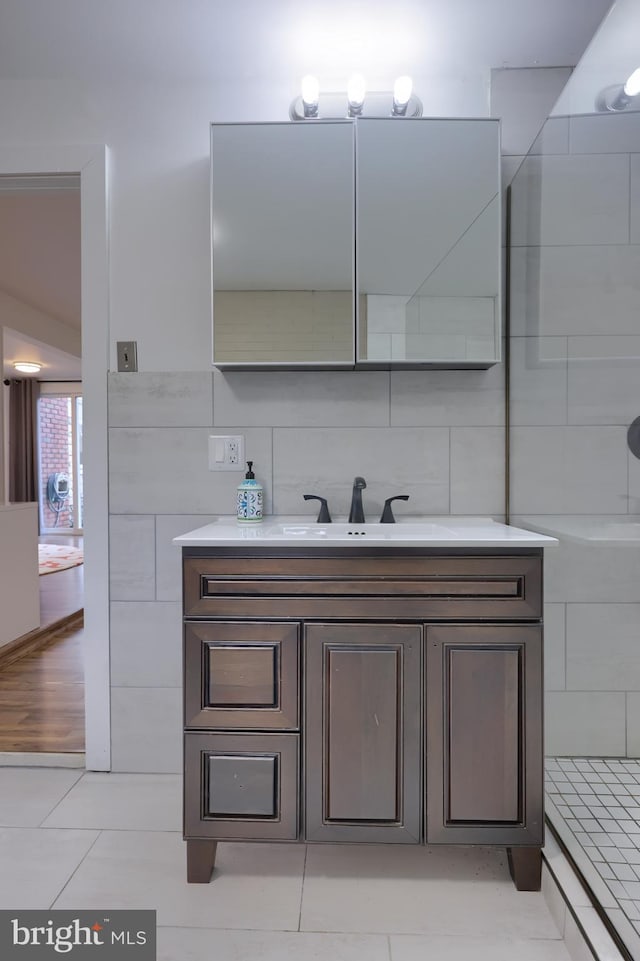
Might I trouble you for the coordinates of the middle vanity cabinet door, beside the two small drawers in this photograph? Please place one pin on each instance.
(362, 749)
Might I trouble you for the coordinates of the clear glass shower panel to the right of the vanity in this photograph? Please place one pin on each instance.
(574, 394)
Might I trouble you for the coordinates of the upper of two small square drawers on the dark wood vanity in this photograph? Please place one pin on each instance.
(241, 675)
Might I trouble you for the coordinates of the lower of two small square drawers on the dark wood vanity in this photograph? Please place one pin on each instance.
(241, 786)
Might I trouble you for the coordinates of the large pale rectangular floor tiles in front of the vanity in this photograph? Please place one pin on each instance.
(70, 839)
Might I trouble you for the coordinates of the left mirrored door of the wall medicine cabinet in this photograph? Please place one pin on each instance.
(282, 237)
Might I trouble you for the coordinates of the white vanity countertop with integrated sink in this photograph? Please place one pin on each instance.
(303, 531)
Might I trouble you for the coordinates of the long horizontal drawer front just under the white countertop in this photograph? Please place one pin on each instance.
(373, 586)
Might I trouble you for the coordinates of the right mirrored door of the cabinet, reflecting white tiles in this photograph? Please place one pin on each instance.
(428, 238)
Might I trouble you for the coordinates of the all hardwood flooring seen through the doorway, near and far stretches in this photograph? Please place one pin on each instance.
(42, 693)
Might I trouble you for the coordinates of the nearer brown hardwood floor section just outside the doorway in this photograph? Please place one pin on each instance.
(42, 698)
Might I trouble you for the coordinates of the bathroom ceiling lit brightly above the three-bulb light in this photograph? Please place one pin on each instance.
(128, 40)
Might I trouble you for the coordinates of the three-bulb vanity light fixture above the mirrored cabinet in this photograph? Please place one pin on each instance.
(312, 105)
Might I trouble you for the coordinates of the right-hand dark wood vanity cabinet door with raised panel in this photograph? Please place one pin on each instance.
(484, 764)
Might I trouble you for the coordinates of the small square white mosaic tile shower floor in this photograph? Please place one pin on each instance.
(594, 805)
